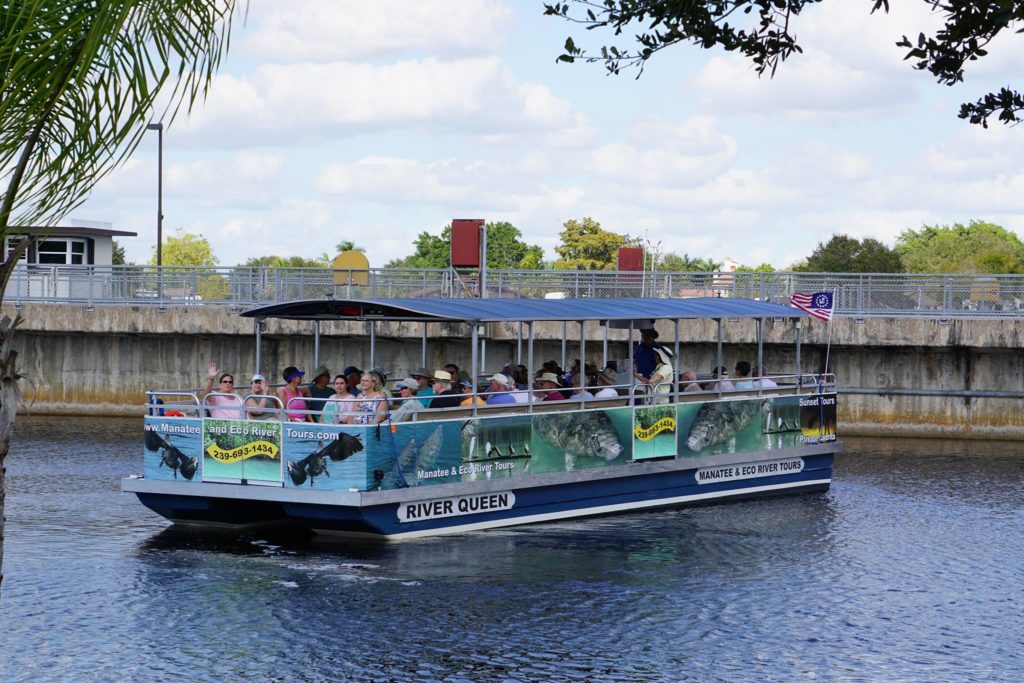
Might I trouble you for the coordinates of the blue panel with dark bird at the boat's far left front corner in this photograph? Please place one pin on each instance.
(173, 449)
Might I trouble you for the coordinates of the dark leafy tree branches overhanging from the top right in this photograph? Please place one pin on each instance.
(770, 38)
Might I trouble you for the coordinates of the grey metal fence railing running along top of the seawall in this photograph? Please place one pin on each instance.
(857, 295)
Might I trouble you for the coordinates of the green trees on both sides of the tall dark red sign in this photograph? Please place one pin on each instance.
(506, 250)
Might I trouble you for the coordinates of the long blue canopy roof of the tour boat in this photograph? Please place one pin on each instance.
(498, 311)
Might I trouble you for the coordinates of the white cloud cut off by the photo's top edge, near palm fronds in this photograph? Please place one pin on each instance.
(354, 30)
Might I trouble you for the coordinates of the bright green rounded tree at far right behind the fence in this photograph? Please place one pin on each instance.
(977, 247)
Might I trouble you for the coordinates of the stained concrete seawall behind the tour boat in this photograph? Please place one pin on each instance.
(102, 362)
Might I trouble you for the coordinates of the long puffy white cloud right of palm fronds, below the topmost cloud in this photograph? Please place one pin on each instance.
(289, 104)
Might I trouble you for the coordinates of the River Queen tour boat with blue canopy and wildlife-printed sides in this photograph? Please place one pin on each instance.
(485, 466)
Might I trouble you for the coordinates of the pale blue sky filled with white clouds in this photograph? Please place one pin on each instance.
(335, 120)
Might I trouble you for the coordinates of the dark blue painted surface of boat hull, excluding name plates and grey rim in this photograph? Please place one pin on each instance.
(531, 504)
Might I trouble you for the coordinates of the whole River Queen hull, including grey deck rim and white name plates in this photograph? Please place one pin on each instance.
(455, 508)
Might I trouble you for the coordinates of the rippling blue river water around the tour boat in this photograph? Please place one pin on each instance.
(909, 570)
